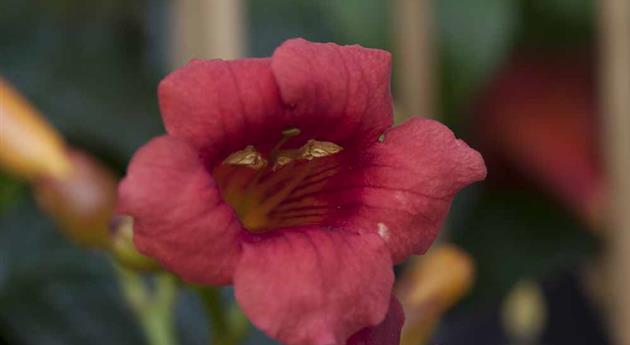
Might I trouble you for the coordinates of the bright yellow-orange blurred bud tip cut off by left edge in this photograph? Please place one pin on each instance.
(29, 146)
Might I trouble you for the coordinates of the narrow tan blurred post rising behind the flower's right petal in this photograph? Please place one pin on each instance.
(414, 62)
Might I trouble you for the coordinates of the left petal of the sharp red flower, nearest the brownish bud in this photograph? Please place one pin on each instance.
(180, 218)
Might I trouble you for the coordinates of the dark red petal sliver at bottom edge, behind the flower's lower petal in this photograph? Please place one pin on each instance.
(385, 333)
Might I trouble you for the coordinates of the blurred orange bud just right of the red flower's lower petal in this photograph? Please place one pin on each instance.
(430, 286)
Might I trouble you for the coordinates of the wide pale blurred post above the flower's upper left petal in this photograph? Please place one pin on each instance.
(207, 29)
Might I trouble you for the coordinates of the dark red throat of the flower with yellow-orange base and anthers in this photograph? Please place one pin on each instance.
(278, 188)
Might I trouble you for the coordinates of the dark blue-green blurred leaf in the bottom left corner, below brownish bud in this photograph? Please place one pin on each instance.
(54, 293)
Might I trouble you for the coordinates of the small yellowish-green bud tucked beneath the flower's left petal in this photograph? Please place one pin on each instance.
(124, 249)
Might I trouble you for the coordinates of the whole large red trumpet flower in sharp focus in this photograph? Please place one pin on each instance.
(272, 177)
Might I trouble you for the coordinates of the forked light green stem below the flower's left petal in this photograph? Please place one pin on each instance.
(152, 307)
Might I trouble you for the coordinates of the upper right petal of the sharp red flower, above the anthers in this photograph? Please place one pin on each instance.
(335, 91)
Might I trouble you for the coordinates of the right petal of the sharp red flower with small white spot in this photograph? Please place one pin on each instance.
(402, 188)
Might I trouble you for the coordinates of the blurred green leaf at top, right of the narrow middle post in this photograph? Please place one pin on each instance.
(473, 37)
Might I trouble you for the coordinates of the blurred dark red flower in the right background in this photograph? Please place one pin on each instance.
(539, 116)
